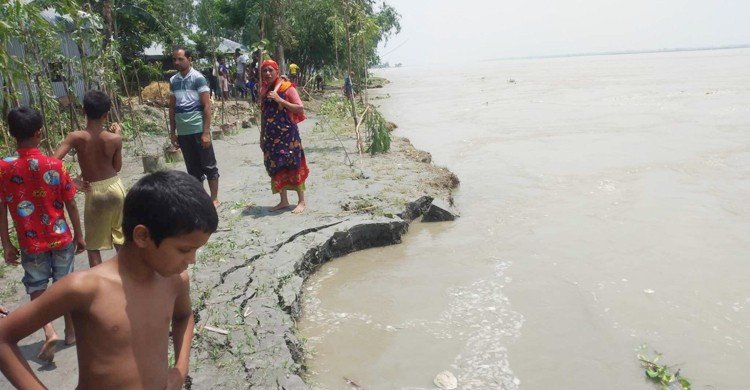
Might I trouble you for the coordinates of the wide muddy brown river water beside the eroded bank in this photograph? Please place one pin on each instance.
(605, 205)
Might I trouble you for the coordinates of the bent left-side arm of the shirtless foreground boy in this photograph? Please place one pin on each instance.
(67, 295)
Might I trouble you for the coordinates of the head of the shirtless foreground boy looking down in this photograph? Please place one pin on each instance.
(169, 215)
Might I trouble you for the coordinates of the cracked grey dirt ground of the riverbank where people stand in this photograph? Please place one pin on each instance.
(248, 278)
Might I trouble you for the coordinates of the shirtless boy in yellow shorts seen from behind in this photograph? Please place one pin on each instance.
(100, 157)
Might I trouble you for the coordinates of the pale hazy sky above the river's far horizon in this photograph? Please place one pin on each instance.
(474, 30)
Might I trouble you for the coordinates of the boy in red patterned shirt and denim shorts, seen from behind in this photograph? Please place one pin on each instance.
(35, 189)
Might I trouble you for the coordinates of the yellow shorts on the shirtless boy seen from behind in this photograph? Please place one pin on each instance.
(102, 218)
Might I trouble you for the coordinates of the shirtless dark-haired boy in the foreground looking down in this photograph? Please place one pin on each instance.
(122, 309)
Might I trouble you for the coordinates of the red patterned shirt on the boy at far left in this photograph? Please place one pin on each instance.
(34, 188)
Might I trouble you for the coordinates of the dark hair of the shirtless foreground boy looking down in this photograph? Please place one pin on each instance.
(169, 204)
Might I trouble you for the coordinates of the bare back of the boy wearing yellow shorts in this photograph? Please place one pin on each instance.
(99, 153)
